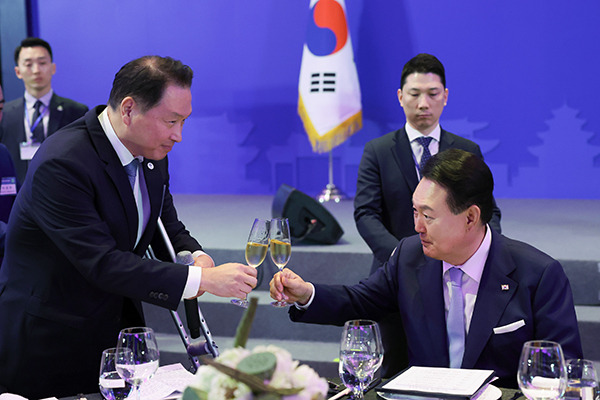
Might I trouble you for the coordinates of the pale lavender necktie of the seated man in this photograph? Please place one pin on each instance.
(456, 319)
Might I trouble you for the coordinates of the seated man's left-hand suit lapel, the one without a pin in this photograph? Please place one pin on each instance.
(432, 298)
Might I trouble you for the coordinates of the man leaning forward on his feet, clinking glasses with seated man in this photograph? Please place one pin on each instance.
(73, 273)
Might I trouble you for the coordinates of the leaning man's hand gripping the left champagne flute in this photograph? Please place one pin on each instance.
(228, 280)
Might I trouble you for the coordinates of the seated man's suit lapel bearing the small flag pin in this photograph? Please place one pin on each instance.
(495, 291)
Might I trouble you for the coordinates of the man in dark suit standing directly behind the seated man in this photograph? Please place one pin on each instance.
(389, 173)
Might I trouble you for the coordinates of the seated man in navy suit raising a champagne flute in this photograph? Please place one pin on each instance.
(510, 292)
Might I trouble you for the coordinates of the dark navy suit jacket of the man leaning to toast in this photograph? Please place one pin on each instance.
(71, 277)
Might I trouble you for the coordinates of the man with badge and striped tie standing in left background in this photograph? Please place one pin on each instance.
(35, 67)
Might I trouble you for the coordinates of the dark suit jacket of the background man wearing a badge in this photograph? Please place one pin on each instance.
(63, 111)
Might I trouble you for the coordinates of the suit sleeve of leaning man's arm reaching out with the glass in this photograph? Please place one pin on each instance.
(63, 204)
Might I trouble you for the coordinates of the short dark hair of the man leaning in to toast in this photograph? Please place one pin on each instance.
(146, 78)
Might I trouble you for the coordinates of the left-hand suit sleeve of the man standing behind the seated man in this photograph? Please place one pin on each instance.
(368, 206)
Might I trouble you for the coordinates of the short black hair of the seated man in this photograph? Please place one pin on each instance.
(467, 179)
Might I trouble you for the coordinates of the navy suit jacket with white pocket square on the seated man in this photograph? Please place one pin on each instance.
(519, 283)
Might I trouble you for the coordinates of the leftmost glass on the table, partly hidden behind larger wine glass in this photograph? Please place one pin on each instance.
(112, 386)
